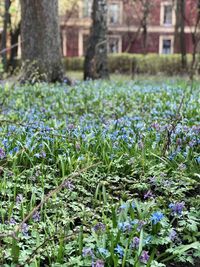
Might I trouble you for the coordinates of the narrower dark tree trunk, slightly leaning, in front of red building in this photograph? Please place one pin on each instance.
(96, 62)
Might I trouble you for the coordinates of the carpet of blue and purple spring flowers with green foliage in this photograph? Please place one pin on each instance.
(99, 174)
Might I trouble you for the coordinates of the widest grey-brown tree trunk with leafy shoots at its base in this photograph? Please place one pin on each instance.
(41, 50)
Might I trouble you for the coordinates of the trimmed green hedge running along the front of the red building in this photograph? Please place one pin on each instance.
(135, 63)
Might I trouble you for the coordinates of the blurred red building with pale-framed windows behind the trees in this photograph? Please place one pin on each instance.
(126, 27)
